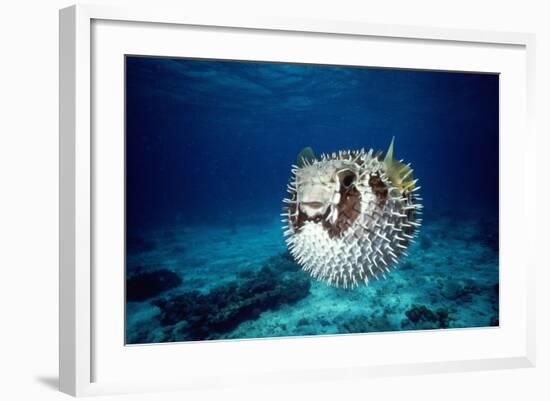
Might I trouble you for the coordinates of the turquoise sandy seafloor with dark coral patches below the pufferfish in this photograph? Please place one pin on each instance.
(449, 280)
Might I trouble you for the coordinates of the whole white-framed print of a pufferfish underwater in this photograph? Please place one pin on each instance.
(274, 199)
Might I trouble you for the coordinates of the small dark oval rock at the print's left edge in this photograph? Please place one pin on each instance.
(147, 285)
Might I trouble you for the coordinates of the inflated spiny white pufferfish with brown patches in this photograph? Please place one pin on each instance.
(350, 215)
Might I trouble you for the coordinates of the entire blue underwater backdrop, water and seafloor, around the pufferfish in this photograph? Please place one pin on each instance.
(209, 145)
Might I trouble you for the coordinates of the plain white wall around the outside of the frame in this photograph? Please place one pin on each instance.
(29, 184)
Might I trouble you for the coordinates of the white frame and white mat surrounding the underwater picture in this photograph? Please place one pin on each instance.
(82, 58)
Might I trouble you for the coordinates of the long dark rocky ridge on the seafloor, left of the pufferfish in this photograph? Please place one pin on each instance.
(222, 309)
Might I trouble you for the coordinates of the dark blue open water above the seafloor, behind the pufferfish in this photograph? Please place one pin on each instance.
(213, 141)
